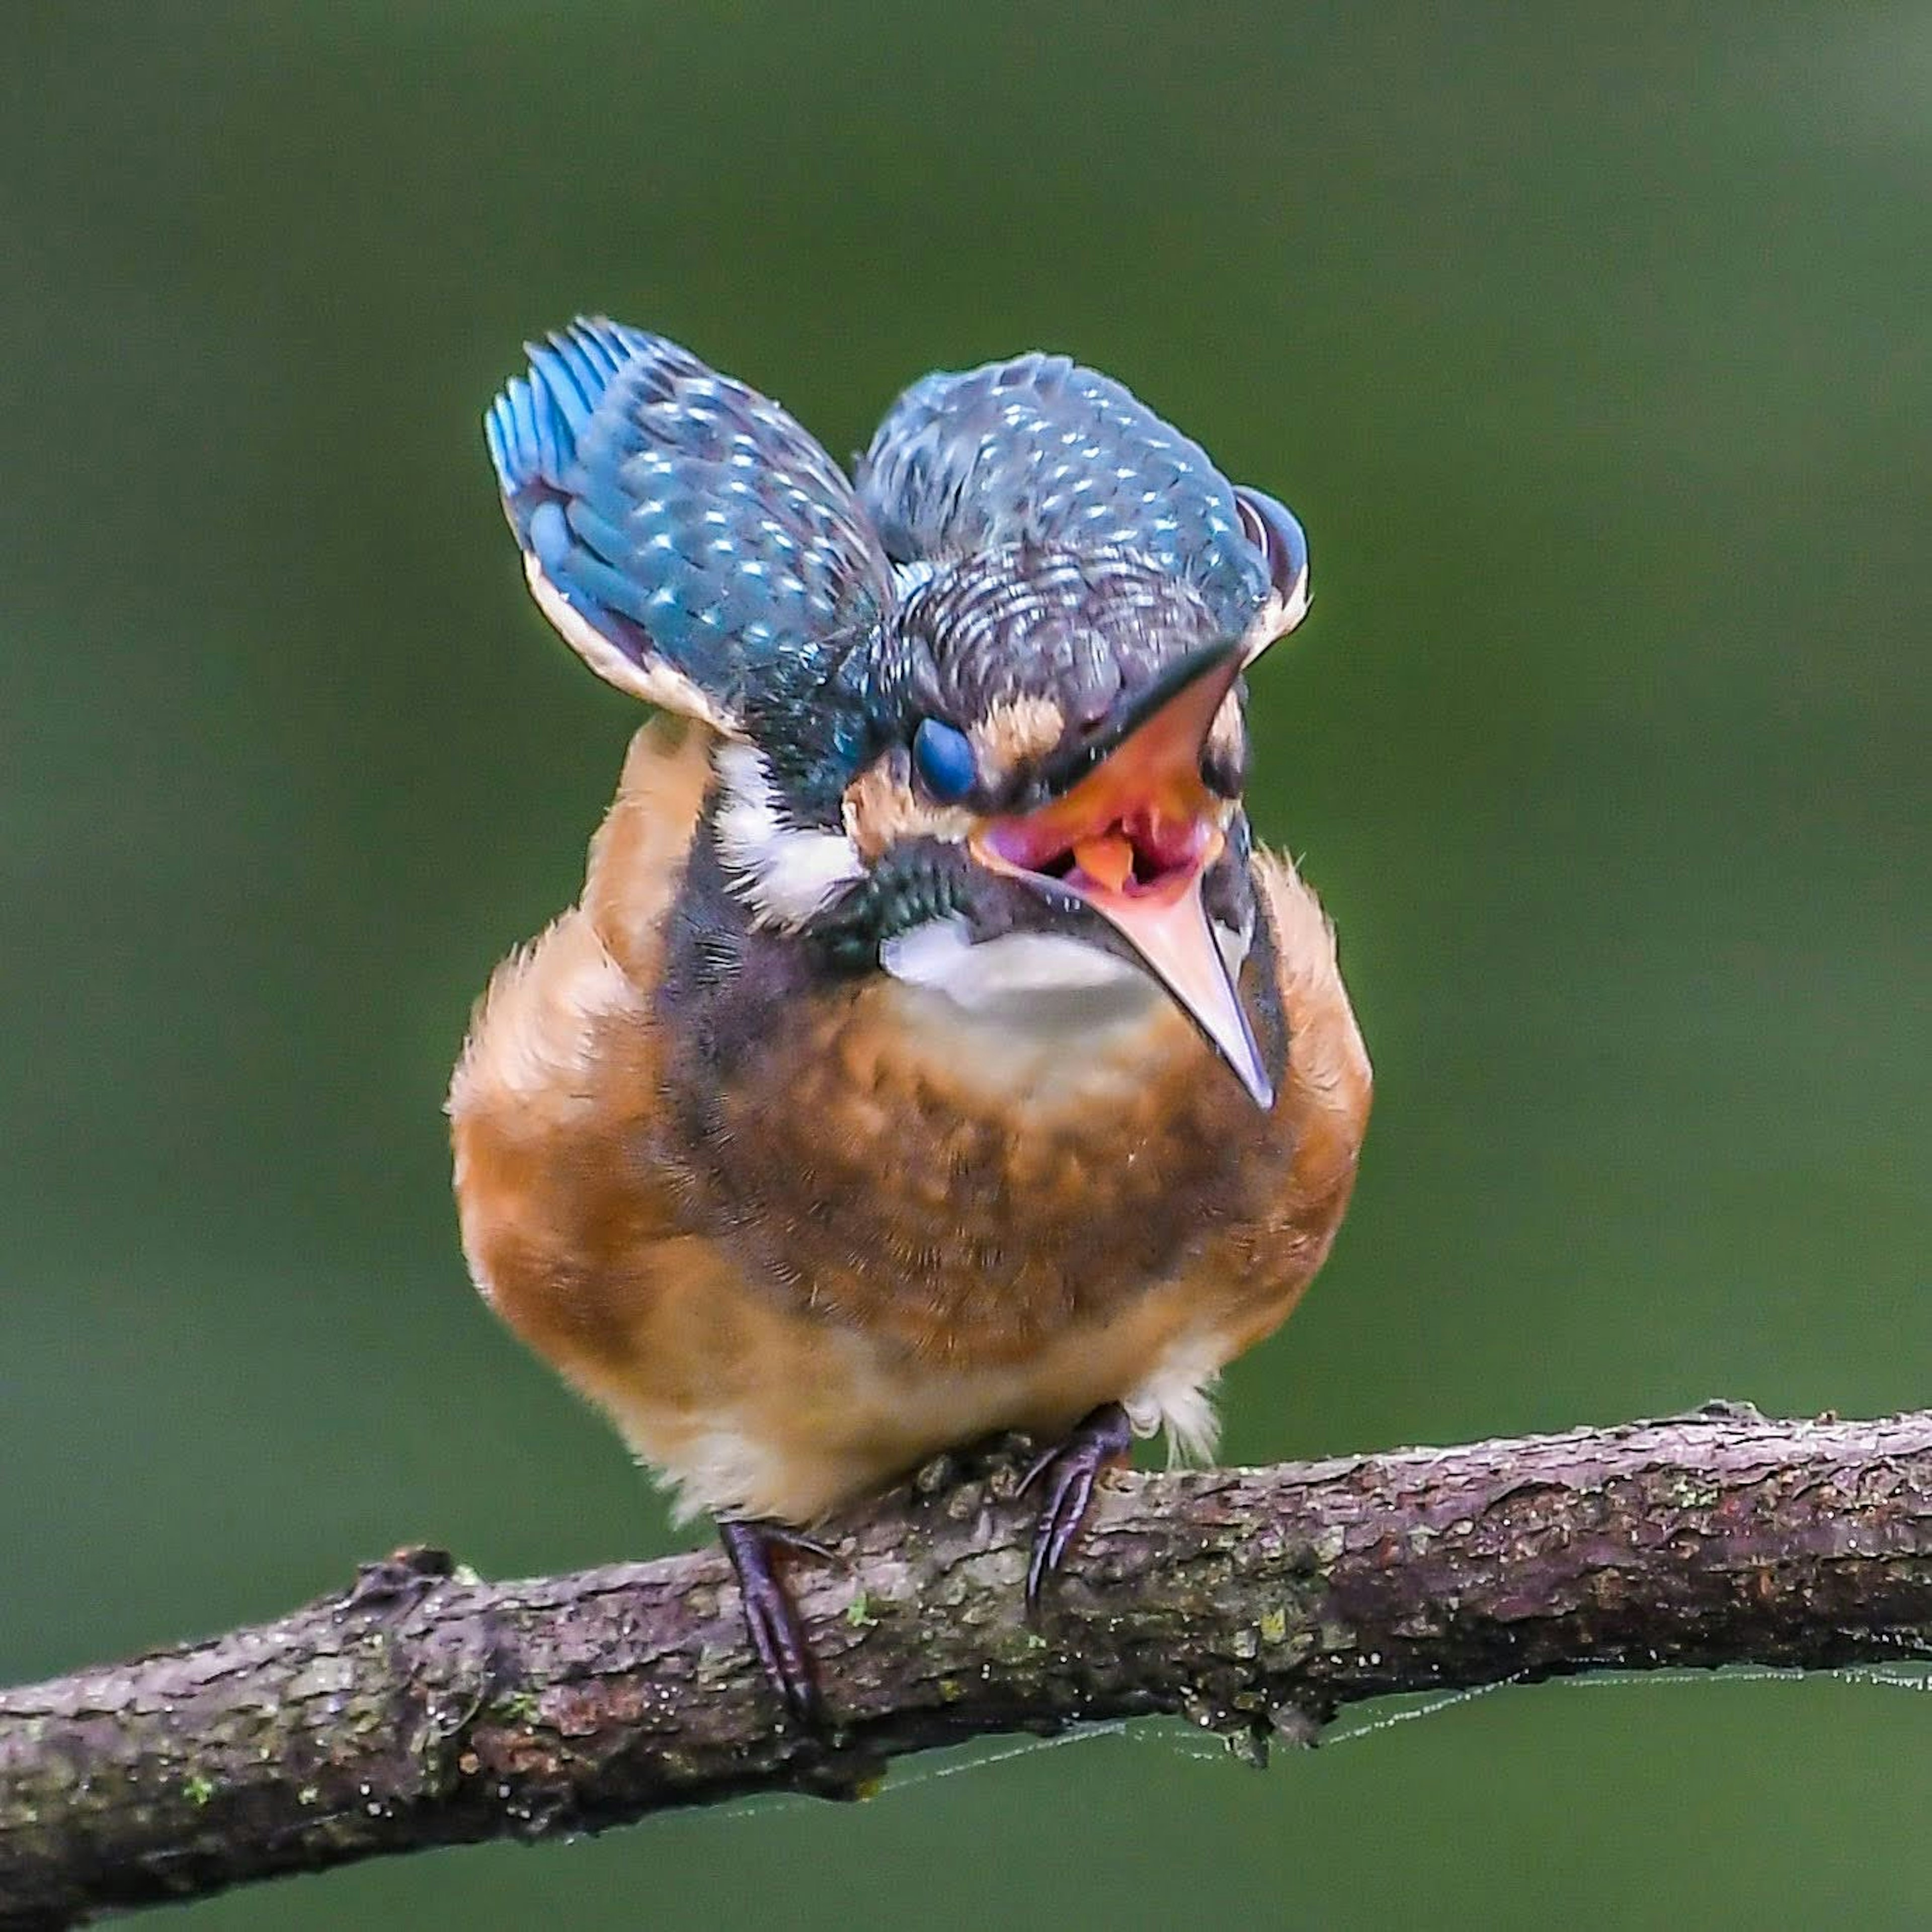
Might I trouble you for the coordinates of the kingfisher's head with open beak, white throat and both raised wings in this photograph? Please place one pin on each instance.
(980, 718)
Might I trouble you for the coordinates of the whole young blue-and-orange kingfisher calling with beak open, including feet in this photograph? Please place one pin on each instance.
(932, 1052)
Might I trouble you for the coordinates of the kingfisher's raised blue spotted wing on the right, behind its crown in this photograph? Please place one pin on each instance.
(1042, 451)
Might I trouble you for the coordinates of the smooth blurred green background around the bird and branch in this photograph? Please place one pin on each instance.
(1593, 345)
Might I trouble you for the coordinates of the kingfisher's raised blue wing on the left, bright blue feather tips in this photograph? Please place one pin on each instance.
(677, 528)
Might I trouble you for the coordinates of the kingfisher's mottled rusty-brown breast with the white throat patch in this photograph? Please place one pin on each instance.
(963, 1156)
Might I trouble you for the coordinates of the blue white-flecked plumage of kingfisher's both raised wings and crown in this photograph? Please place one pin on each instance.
(1027, 528)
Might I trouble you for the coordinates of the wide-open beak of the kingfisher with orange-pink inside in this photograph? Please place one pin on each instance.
(1131, 832)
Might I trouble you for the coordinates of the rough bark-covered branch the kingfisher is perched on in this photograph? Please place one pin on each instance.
(430, 1709)
